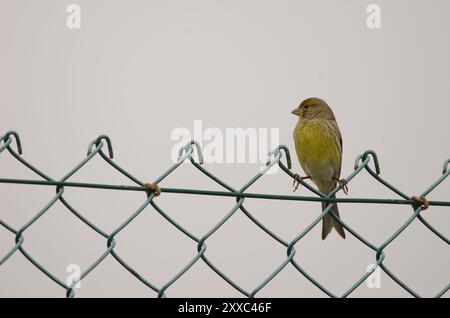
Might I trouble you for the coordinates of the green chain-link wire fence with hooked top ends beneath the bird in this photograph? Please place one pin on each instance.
(187, 153)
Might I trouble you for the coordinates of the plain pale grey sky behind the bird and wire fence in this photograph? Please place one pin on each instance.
(136, 70)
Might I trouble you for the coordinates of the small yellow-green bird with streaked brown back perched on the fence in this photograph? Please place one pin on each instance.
(318, 144)
